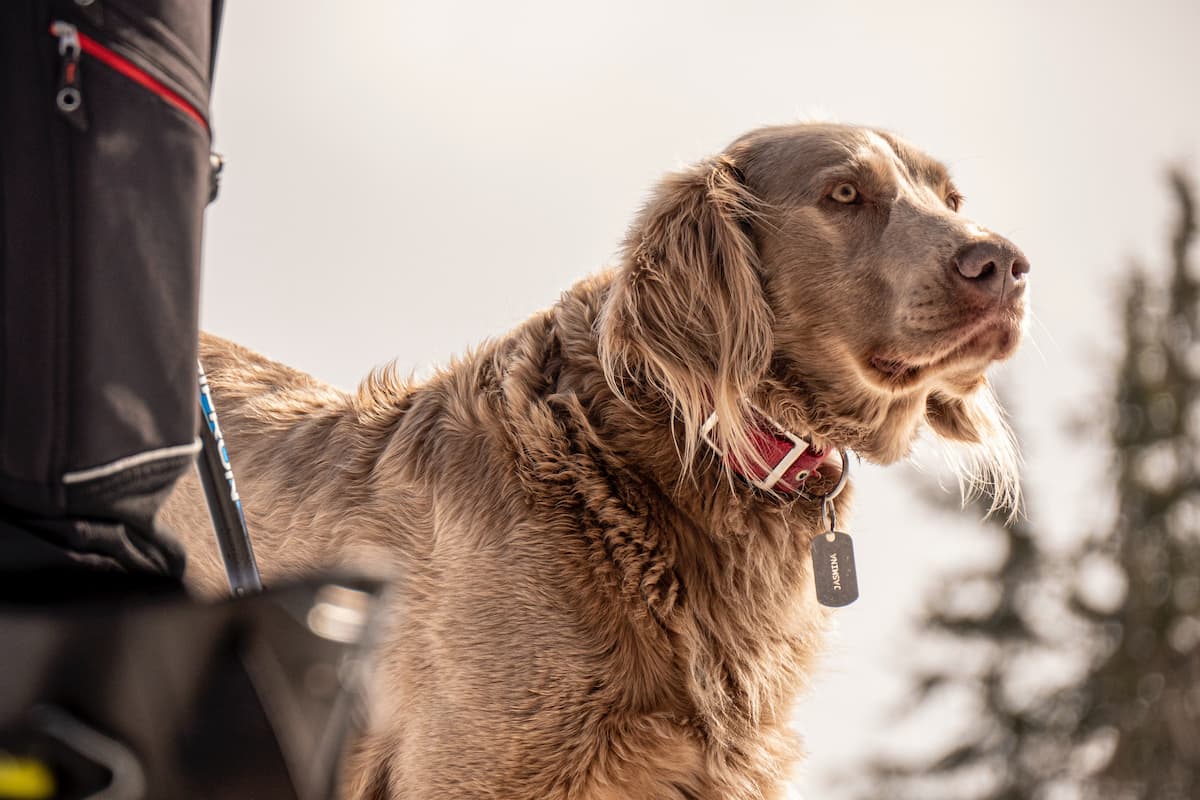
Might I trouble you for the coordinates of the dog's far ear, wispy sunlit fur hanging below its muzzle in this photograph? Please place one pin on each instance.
(992, 464)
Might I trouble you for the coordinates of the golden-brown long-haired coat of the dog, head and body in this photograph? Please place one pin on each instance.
(589, 605)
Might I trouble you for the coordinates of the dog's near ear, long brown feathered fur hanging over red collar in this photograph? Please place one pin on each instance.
(687, 311)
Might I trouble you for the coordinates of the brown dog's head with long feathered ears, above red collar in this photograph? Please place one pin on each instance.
(826, 274)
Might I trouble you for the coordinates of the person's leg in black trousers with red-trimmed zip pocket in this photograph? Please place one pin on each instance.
(105, 175)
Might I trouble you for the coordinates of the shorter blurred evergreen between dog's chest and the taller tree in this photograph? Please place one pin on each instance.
(991, 633)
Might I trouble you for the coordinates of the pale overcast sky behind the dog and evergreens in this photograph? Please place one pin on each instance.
(407, 179)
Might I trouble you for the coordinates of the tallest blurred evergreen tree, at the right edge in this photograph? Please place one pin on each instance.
(1143, 695)
